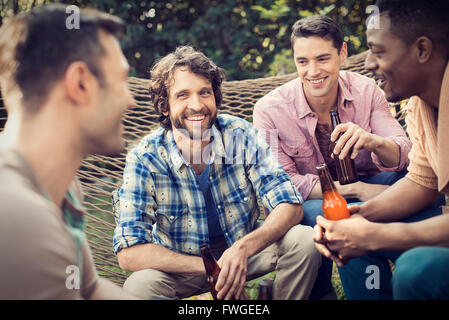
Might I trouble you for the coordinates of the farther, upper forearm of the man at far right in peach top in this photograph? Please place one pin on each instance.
(401, 200)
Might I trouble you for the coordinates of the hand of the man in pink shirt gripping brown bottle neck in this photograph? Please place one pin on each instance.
(353, 136)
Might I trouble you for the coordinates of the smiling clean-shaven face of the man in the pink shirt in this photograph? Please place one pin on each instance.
(318, 65)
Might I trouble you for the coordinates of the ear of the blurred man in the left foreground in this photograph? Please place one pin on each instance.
(79, 82)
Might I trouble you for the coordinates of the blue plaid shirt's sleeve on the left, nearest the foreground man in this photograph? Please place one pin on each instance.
(137, 205)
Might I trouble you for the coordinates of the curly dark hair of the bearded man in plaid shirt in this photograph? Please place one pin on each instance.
(162, 73)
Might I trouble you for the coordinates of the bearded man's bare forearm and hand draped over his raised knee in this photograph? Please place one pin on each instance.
(233, 262)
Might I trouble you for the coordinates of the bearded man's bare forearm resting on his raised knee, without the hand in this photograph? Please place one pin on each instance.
(278, 222)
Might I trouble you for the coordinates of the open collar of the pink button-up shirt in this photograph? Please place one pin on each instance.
(302, 106)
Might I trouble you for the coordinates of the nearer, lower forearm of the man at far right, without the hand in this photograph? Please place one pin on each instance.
(404, 236)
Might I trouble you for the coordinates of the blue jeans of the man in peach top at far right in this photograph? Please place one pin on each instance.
(354, 275)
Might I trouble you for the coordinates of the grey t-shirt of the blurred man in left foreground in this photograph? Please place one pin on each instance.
(38, 254)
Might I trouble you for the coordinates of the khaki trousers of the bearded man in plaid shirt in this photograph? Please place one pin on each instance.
(293, 257)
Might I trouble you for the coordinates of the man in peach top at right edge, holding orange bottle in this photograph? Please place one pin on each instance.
(409, 53)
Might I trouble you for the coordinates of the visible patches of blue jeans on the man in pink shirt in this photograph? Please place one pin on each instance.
(312, 208)
